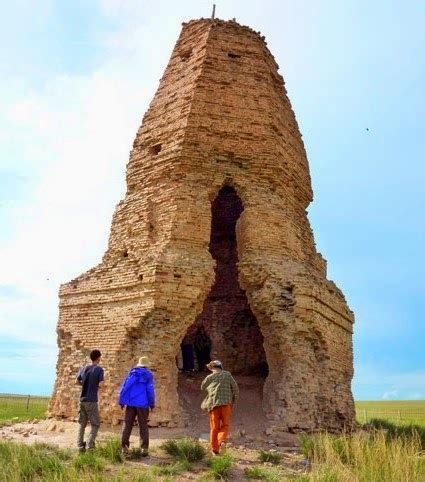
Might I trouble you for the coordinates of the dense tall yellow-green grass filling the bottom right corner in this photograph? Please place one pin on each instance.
(365, 457)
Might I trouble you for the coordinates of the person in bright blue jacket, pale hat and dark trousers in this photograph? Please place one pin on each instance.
(137, 395)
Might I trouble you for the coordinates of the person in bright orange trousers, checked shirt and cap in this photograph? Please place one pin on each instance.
(222, 393)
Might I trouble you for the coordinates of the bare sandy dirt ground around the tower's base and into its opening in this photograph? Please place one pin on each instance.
(247, 435)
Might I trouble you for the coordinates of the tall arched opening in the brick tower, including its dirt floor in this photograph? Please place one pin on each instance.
(226, 329)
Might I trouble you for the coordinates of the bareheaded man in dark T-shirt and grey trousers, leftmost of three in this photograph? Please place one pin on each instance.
(90, 377)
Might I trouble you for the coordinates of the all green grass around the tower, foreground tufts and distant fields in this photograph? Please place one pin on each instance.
(388, 448)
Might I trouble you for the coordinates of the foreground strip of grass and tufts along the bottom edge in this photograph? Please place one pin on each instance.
(363, 457)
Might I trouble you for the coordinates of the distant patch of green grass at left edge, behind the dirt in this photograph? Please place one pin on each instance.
(14, 408)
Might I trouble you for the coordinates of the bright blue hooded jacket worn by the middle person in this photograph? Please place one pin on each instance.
(138, 390)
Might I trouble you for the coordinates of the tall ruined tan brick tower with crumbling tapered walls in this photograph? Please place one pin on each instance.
(213, 234)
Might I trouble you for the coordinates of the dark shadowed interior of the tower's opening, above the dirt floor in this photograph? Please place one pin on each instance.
(226, 329)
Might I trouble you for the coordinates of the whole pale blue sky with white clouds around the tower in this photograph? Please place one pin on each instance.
(75, 80)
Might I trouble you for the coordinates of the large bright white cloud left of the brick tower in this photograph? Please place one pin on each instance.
(75, 134)
